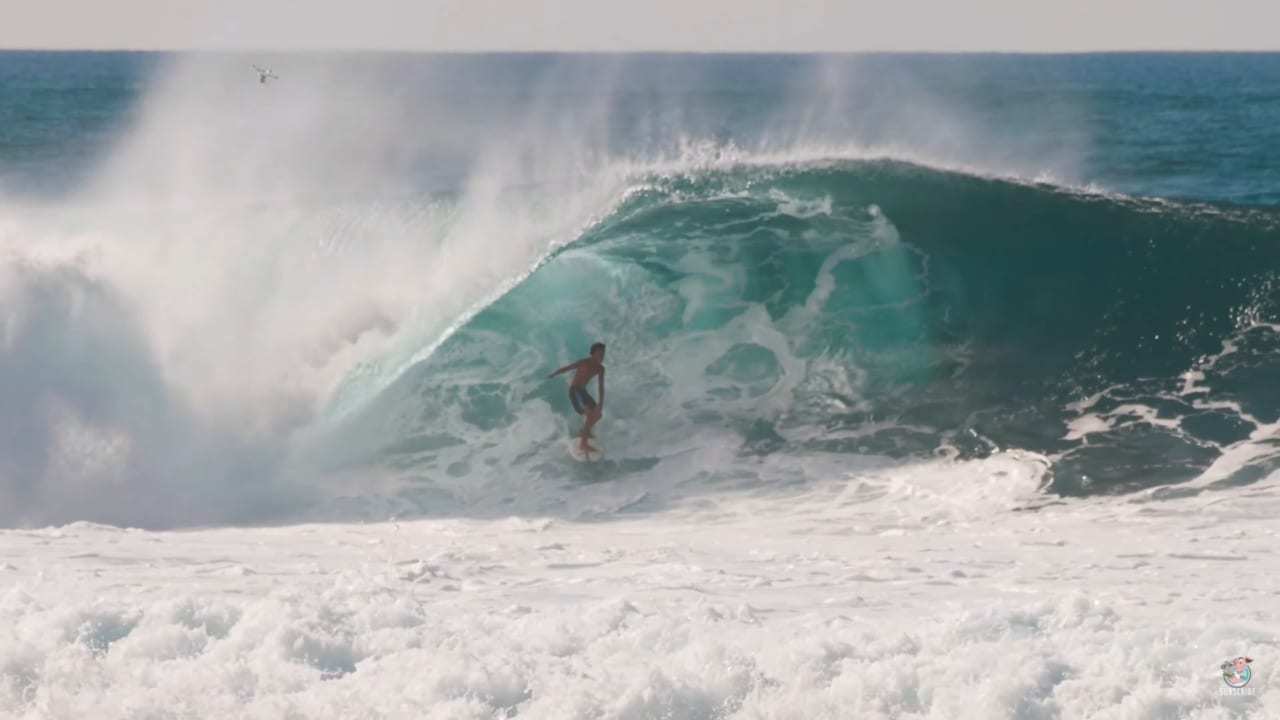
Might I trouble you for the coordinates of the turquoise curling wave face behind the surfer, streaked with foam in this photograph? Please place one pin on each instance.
(868, 309)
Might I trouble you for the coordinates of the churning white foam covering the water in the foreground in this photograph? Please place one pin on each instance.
(931, 591)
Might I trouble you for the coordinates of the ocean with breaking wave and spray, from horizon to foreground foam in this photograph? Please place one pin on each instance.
(342, 289)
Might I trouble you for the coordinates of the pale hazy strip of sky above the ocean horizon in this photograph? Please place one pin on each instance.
(643, 25)
